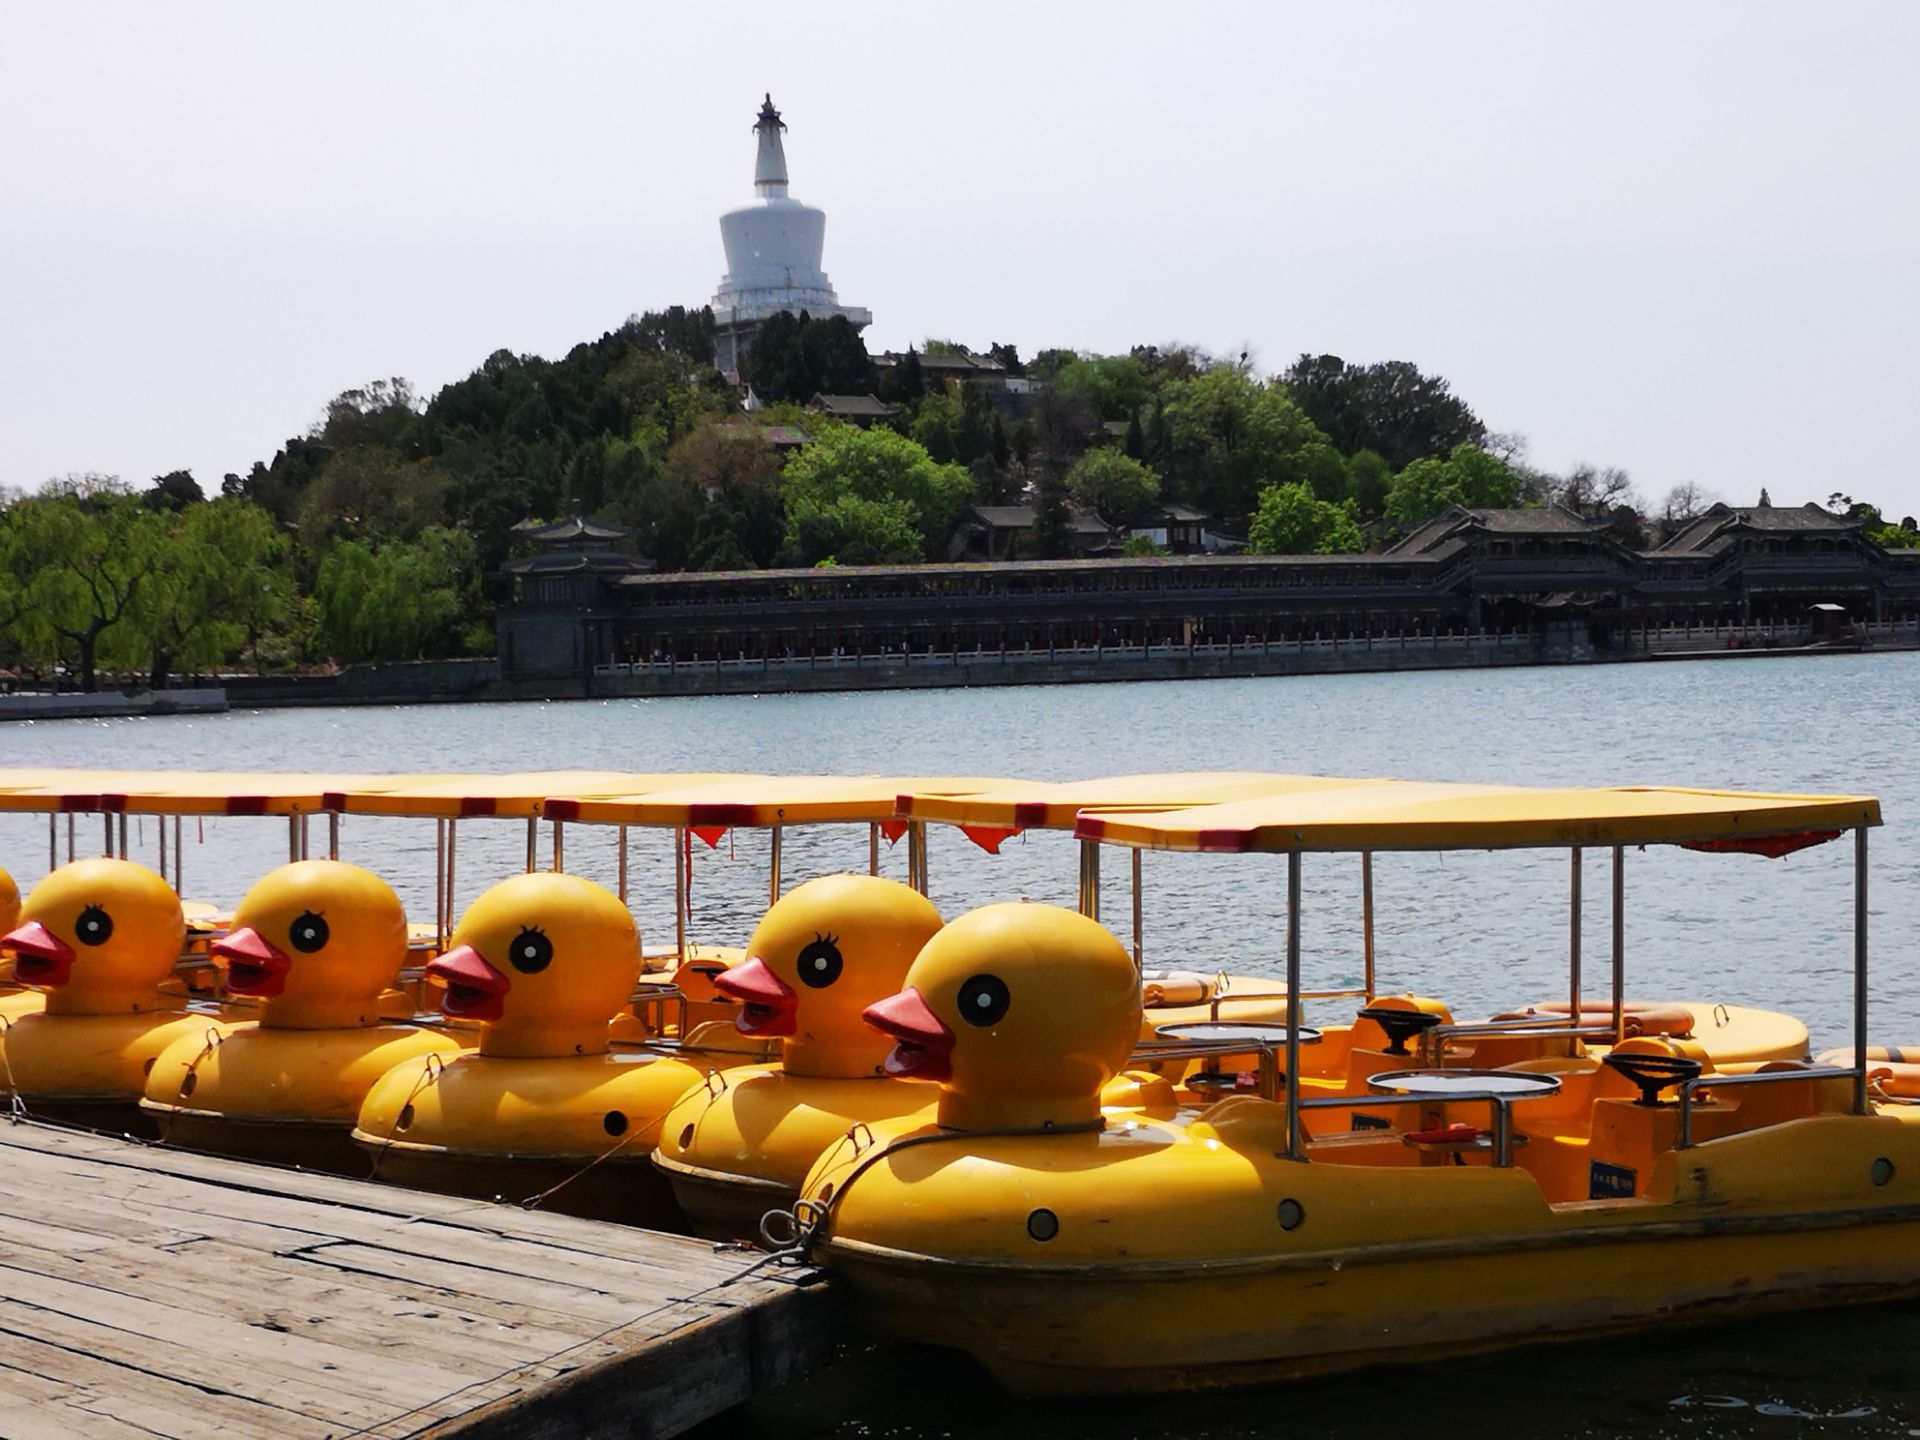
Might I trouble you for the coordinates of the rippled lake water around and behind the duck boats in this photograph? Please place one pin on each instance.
(1481, 930)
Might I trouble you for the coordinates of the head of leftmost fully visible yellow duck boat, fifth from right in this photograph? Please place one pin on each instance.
(99, 938)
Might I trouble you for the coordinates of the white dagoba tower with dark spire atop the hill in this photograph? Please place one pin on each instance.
(773, 256)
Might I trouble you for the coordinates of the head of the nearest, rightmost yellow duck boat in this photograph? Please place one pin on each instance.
(1020, 1013)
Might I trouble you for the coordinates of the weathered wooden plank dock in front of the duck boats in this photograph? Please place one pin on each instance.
(155, 1293)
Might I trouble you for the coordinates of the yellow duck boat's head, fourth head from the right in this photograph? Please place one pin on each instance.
(316, 942)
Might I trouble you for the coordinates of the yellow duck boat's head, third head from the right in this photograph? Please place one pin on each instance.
(542, 961)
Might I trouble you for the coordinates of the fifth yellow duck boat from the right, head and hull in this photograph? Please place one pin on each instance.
(97, 940)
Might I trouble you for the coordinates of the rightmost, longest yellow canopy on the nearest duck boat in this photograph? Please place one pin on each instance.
(1401, 815)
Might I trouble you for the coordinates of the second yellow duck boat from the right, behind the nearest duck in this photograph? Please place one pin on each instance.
(817, 961)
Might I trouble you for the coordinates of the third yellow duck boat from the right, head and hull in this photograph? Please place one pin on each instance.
(540, 1111)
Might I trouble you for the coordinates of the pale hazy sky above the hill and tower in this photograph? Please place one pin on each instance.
(1671, 237)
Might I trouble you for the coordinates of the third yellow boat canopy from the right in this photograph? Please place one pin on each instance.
(763, 802)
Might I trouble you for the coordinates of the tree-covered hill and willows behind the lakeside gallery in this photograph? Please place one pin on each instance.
(383, 533)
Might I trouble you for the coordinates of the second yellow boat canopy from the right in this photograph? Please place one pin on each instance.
(1055, 805)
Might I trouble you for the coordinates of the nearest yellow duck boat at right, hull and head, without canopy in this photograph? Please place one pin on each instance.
(1082, 1255)
